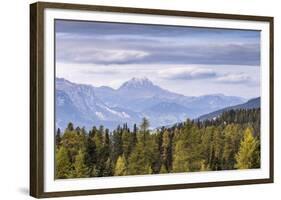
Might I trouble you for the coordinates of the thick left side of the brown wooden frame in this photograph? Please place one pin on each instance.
(36, 100)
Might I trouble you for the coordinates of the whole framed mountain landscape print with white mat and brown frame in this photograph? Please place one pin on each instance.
(130, 99)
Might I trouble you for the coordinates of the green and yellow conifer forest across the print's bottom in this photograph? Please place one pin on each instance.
(232, 141)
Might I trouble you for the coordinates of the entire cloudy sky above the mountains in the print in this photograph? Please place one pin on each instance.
(187, 60)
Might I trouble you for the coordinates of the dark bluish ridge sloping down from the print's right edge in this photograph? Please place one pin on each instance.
(250, 104)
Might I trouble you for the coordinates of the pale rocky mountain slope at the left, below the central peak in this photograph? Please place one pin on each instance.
(79, 104)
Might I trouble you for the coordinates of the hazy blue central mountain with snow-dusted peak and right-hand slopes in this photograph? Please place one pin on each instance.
(139, 94)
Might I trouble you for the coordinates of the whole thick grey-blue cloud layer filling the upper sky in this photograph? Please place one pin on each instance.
(113, 43)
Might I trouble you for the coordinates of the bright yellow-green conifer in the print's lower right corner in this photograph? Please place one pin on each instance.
(245, 158)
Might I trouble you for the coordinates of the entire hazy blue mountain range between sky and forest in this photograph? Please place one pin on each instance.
(86, 105)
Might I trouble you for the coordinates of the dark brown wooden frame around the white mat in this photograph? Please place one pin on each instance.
(37, 77)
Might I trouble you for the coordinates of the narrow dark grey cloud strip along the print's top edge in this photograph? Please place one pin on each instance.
(109, 28)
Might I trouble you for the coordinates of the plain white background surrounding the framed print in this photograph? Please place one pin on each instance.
(14, 99)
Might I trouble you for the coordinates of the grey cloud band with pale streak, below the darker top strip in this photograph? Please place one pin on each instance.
(137, 52)
